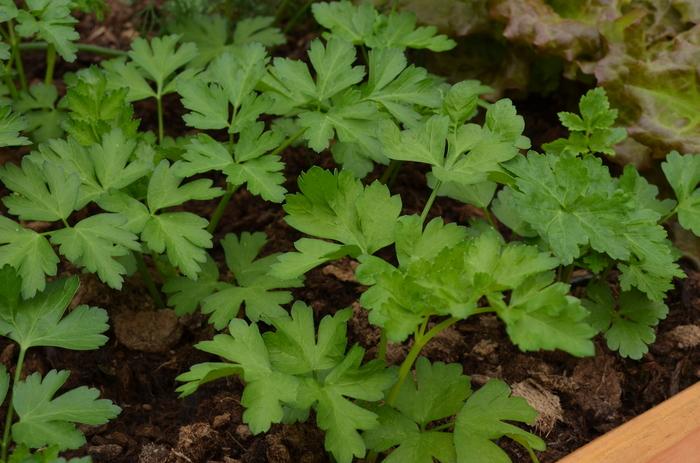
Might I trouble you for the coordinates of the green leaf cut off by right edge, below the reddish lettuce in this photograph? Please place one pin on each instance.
(683, 174)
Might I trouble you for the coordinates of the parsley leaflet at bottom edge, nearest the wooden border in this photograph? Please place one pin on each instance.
(482, 420)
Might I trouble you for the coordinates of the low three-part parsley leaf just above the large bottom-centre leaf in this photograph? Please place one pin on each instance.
(252, 285)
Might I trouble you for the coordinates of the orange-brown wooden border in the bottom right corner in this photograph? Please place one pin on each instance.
(668, 433)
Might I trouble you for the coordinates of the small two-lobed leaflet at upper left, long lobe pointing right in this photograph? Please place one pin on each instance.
(165, 189)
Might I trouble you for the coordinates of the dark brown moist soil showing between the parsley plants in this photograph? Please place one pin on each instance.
(578, 399)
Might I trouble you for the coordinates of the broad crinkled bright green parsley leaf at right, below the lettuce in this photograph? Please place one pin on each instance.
(573, 203)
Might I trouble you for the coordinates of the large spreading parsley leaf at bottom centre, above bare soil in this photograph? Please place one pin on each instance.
(296, 368)
